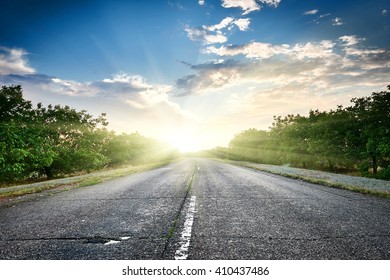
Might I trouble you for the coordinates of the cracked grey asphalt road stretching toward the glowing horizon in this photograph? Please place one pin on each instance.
(198, 209)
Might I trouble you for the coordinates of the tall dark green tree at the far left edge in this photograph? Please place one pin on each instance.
(23, 148)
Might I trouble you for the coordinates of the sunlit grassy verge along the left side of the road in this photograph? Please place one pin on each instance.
(70, 183)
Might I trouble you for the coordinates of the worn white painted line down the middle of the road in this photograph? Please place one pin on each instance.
(182, 252)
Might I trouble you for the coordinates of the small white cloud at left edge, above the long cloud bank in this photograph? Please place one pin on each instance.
(14, 61)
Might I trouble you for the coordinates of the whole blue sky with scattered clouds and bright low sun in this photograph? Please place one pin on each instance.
(193, 73)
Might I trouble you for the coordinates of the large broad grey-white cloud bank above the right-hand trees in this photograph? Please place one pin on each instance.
(317, 65)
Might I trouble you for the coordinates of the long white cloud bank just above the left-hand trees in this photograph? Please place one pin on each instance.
(132, 90)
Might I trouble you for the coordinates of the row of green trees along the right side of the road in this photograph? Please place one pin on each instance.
(351, 139)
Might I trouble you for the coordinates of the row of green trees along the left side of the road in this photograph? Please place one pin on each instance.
(57, 140)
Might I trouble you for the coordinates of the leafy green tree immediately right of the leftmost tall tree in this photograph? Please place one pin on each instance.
(76, 140)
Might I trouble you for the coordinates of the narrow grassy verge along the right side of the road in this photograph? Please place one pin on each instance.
(324, 182)
